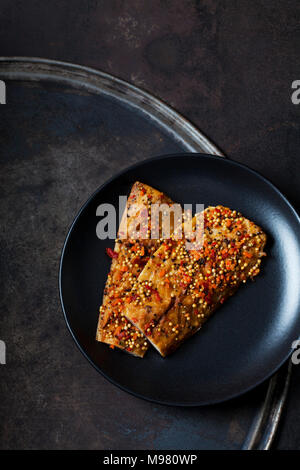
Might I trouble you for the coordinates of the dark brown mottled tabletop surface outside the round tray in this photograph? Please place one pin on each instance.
(226, 65)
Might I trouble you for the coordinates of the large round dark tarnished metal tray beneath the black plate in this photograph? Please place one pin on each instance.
(61, 137)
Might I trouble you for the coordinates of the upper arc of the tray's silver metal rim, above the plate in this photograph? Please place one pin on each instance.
(103, 83)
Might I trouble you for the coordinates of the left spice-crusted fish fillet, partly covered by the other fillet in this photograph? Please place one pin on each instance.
(128, 259)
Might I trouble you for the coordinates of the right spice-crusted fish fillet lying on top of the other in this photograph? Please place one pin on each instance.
(179, 289)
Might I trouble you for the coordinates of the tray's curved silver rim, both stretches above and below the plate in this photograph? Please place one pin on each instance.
(265, 424)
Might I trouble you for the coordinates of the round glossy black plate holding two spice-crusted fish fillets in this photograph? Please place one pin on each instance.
(246, 340)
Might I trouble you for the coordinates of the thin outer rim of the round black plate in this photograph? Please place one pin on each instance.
(69, 232)
